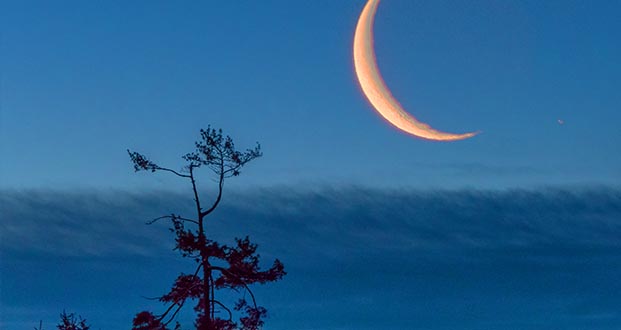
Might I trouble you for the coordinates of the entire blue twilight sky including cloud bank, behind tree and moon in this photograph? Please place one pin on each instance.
(516, 228)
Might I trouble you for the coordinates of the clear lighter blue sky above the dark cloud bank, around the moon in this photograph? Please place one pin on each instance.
(84, 81)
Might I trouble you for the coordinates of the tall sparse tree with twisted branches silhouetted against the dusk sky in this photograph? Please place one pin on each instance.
(218, 266)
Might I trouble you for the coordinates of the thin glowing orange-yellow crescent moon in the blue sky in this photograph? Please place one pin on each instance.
(375, 88)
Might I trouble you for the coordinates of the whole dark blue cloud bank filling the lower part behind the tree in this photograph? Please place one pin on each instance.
(357, 258)
